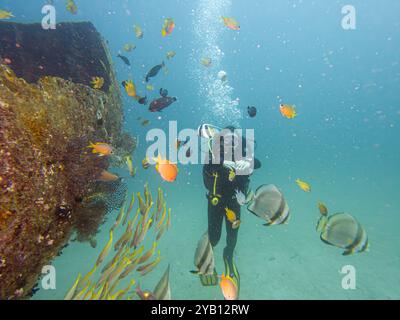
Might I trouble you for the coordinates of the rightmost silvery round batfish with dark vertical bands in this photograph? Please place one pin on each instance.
(342, 230)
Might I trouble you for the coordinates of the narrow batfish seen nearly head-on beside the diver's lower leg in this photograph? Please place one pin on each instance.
(204, 257)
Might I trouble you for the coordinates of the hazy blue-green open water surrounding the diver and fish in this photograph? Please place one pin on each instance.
(344, 142)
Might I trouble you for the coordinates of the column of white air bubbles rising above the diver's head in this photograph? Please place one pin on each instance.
(221, 108)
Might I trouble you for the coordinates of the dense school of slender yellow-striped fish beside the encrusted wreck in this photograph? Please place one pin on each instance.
(130, 257)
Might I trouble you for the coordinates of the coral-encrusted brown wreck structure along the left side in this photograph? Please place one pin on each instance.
(49, 113)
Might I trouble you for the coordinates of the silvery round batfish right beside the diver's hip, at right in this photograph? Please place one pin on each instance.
(269, 204)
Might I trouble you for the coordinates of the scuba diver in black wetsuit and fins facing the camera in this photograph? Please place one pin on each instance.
(224, 176)
